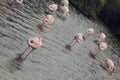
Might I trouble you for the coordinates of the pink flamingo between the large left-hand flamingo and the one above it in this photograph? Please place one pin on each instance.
(47, 21)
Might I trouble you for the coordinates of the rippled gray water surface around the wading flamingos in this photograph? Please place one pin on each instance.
(49, 62)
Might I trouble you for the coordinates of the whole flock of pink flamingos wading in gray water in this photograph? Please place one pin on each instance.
(36, 42)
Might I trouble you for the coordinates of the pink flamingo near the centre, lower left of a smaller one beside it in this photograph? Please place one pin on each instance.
(78, 38)
